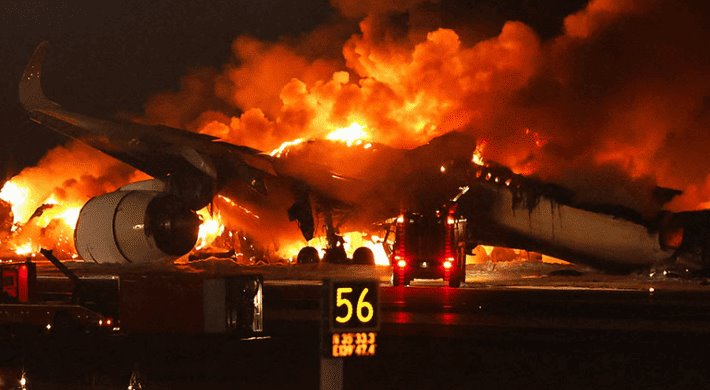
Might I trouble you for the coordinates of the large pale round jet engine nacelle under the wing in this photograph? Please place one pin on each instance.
(135, 227)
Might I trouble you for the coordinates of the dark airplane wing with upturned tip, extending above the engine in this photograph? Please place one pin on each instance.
(195, 166)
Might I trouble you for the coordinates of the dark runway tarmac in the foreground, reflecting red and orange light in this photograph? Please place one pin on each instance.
(514, 326)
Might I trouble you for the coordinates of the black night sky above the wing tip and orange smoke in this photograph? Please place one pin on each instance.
(110, 56)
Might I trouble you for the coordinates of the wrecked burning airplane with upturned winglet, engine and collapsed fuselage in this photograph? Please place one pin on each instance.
(156, 220)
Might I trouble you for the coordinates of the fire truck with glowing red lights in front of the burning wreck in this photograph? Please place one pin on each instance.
(429, 246)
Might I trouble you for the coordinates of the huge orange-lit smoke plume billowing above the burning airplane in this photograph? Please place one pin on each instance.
(614, 105)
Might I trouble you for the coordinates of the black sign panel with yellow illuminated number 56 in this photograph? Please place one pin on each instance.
(353, 306)
